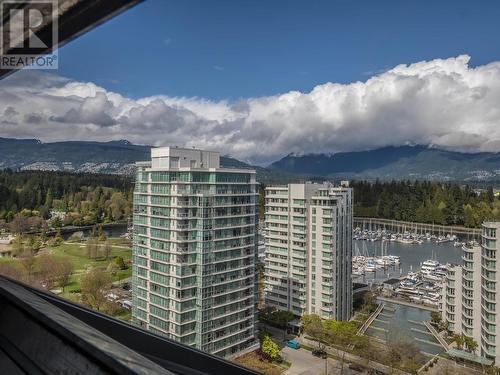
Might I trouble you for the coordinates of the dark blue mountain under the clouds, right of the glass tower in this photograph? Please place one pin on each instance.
(402, 162)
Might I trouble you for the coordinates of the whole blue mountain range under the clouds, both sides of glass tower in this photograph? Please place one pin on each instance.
(403, 162)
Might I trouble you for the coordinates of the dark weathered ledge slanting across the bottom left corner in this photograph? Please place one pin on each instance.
(41, 333)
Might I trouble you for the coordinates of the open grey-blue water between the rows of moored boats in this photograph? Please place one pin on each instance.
(411, 256)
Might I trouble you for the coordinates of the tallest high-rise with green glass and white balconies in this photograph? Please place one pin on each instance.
(194, 251)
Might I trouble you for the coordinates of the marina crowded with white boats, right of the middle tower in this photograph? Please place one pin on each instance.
(407, 266)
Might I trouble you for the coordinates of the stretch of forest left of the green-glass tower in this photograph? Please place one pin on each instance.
(87, 198)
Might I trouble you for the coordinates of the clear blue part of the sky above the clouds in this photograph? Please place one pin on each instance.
(238, 49)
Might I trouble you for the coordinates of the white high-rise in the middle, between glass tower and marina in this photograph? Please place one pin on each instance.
(308, 259)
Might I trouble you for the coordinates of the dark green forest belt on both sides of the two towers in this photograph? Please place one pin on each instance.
(85, 199)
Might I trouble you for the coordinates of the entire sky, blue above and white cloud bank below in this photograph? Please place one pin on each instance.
(261, 79)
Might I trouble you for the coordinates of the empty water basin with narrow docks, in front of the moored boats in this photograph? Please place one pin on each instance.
(400, 322)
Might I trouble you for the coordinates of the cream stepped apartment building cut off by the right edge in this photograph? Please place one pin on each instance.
(470, 293)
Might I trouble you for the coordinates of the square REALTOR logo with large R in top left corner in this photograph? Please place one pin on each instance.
(28, 34)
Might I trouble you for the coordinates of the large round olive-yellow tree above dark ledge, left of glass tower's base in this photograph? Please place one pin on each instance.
(94, 284)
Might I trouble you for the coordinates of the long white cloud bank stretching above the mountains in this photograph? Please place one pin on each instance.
(442, 102)
